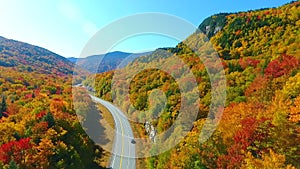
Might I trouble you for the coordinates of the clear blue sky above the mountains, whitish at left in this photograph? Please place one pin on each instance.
(65, 26)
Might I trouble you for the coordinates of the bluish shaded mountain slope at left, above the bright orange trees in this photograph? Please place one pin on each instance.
(32, 58)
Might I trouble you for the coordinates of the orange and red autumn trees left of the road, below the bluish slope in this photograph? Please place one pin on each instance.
(38, 125)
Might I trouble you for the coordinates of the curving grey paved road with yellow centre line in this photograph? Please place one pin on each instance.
(123, 150)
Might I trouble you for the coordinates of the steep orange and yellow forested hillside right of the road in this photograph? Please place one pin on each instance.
(260, 123)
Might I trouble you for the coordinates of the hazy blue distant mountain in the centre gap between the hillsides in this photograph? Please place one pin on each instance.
(110, 61)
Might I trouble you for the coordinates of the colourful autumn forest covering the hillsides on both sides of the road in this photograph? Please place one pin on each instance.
(259, 128)
